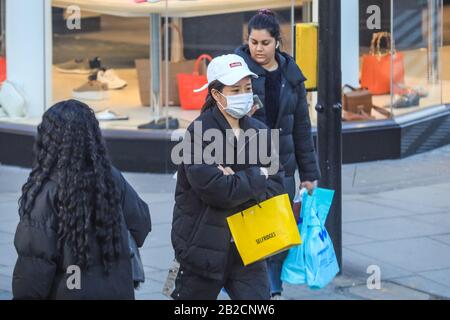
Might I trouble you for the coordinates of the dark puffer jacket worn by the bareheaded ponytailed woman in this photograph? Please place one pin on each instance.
(296, 142)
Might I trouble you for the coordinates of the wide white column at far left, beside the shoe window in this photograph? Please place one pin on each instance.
(29, 51)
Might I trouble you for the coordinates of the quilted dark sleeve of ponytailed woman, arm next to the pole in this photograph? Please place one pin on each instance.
(303, 140)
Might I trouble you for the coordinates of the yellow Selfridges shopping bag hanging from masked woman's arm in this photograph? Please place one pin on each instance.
(264, 229)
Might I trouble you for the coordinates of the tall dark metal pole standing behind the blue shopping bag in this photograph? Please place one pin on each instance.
(329, 125)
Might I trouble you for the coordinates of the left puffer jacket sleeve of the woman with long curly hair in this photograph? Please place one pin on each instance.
(35, 241)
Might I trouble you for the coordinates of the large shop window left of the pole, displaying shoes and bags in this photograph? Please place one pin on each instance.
(124, 50)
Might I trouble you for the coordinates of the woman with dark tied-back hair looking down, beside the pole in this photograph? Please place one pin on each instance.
(280, 86)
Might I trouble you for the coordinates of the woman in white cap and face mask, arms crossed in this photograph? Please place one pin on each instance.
(208, 191)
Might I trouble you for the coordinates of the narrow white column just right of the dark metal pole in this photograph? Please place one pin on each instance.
(350, 42)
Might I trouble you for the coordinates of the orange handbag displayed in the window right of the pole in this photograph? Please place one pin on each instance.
(376, 67)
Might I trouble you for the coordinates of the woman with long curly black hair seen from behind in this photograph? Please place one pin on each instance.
(75, 211)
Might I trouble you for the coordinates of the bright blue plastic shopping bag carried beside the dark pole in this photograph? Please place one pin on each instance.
(314, 262)
